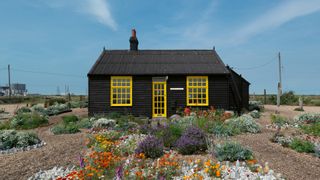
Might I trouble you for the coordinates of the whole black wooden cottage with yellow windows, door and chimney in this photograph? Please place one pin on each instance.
(155, 83)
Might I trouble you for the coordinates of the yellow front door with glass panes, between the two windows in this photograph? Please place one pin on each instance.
(159, 99)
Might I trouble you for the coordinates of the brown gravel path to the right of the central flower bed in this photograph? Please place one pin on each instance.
(291, 164)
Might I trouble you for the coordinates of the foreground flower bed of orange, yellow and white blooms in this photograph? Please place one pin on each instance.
(107, 158)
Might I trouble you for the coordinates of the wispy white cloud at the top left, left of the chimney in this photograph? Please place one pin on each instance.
(98, 9)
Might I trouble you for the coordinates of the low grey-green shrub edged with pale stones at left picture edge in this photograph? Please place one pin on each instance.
(13, 139)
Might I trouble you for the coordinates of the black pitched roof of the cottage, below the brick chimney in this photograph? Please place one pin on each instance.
(158, 62)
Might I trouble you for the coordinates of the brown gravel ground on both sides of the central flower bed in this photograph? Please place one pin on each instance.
(63, 150)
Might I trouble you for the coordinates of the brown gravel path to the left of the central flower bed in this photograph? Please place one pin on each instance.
(61, 150)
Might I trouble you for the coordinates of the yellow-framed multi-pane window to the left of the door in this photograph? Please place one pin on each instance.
(121, 91)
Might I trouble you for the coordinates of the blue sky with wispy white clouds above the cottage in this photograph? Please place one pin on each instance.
(51, 44)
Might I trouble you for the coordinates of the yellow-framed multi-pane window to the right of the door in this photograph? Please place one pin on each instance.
(197, 91)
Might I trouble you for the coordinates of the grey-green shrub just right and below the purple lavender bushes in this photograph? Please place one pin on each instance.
(232, 151)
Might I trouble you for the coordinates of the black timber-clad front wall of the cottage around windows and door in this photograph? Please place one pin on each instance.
(99, 95)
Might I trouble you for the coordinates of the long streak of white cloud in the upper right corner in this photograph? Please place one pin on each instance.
(273, 18)
